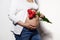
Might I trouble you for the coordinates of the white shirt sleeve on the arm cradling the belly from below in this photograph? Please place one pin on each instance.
(12, 11)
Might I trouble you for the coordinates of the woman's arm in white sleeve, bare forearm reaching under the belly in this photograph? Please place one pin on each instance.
(12, 16)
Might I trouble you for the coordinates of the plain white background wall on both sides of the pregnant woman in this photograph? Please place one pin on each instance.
(50, 8)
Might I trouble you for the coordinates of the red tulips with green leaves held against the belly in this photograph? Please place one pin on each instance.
(32, 14)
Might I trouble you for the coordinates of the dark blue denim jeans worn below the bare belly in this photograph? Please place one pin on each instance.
(28, 35)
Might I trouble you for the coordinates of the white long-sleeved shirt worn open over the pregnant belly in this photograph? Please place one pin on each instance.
(18, 12)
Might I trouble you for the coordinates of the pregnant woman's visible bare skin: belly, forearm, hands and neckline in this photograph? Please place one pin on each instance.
(31, 23)
